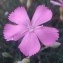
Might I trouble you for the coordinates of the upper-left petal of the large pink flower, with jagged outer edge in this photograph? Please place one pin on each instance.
(19, 16)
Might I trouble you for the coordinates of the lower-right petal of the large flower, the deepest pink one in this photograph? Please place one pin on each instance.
(47, 35)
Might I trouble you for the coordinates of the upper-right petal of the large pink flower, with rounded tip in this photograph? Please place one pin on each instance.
(41, 15)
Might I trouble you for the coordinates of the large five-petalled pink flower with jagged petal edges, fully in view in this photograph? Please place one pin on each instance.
(31, 31)
